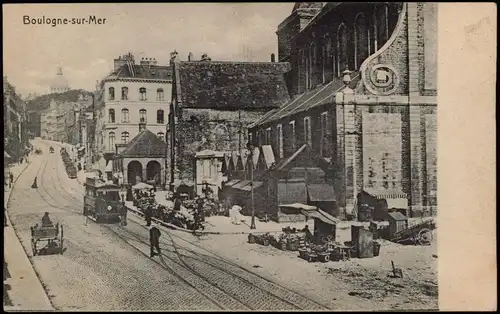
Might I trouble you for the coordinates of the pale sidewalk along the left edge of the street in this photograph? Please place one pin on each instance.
(25, 292)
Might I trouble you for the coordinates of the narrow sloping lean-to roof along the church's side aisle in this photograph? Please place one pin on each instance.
(319, 96)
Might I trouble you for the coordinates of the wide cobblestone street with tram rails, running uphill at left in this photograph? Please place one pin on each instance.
(107, 267)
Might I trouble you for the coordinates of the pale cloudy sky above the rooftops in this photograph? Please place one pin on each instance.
(32, 53)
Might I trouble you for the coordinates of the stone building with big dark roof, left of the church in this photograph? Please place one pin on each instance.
(213, 102)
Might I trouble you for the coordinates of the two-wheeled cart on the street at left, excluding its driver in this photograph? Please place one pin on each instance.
(53, 235)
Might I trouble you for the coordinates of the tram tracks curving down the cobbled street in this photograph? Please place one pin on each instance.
(226, 294)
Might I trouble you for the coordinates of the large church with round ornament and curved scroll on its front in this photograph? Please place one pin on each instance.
(371, 128)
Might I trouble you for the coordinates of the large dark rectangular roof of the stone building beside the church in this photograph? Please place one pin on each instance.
(231, 85)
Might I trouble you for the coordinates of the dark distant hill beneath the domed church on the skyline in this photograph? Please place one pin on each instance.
(41, 103)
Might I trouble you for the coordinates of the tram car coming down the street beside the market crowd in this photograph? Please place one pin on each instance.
(102, 201)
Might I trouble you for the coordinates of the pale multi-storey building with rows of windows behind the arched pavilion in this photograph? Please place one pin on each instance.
(132, 98)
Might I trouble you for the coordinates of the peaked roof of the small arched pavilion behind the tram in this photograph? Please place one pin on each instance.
(145, 144)
